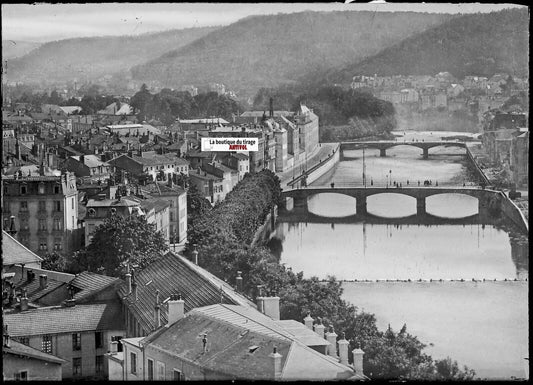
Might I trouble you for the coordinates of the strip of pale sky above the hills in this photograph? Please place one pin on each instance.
(43, 22)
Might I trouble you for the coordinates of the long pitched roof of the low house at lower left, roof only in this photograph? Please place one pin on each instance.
(57, 320)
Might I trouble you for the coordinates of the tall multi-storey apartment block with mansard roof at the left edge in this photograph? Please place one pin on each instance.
(46, 209)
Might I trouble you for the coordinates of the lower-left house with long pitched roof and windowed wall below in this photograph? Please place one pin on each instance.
(78, 334)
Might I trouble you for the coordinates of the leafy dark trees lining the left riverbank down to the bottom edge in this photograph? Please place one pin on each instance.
(222, 237)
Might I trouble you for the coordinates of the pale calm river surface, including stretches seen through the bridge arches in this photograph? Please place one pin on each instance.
(473, 315)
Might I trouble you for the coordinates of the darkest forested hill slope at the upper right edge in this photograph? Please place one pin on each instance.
(476, 44)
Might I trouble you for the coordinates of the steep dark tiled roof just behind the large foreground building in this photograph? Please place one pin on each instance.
(174, 274)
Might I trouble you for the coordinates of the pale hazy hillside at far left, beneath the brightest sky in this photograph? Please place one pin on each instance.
(94, 57)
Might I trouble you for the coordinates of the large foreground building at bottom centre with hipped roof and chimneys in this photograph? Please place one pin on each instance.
(232, 342)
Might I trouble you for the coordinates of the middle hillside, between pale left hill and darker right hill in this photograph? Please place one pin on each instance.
(265, 51)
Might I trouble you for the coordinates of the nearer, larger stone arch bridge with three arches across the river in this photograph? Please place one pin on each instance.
(488, 200)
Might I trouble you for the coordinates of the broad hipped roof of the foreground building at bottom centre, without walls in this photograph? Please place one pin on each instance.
(239, 341)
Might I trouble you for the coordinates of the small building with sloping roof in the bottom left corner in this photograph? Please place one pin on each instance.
(24, 363)
